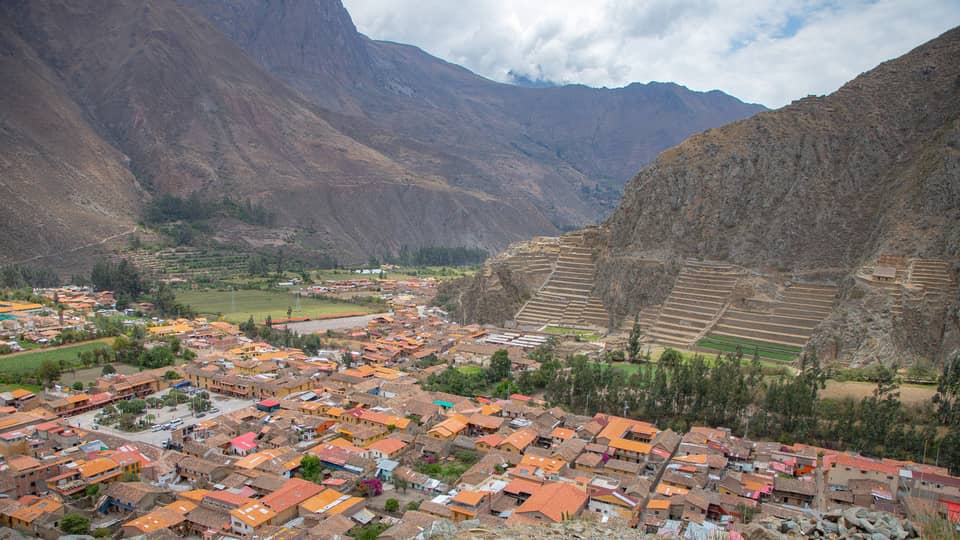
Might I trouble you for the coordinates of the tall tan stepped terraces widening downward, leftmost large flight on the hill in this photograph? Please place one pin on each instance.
(565, 298)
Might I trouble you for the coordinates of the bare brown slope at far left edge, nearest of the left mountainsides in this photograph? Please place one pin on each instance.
(61, 185)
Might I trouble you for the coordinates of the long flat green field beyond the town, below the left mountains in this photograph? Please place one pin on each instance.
(238, 306)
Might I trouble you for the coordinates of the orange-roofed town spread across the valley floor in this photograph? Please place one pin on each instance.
(219, 429)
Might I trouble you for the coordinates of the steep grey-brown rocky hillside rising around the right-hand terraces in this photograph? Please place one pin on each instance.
(813, 191)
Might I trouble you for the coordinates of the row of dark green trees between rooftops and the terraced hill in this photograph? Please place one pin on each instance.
(732, 392)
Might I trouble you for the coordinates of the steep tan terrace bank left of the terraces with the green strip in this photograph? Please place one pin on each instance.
(699, 296)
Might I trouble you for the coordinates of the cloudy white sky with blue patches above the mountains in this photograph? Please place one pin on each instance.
(764, 51)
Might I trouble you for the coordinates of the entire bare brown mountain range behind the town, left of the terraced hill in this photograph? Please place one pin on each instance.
(358, 147)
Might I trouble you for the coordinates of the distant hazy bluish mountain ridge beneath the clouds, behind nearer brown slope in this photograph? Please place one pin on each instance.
(551, 146)
